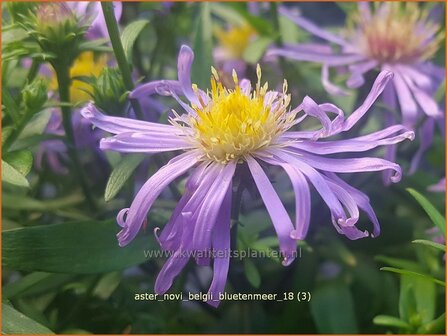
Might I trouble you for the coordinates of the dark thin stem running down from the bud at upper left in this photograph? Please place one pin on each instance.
(63, 80)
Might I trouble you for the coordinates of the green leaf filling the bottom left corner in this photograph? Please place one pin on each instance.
(14, 322)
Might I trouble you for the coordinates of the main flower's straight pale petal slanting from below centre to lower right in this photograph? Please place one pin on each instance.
(281, 220)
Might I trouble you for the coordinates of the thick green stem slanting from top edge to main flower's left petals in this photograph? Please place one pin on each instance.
(112, 28)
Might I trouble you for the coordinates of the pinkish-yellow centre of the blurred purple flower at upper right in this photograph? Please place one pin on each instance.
(401, 34)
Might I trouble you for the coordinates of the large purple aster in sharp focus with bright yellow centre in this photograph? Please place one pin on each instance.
(224, 128)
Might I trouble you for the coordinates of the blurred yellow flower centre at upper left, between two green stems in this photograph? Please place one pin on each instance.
(84, 66)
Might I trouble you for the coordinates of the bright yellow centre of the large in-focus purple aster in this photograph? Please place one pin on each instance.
(235, 122)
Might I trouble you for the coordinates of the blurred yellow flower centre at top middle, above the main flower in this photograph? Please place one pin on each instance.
(235, 40)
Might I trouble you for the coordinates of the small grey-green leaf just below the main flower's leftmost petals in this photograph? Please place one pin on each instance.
(121, 174)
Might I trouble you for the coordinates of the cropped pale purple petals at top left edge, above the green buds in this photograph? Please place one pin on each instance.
(93, 11)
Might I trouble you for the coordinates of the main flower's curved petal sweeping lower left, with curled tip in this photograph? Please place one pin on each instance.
(149, 193)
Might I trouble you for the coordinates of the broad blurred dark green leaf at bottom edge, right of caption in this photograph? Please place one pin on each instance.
(332, 309)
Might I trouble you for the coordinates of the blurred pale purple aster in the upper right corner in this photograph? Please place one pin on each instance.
(396, 37)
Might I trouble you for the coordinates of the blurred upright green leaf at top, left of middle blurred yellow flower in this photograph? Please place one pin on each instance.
(203, 47)
